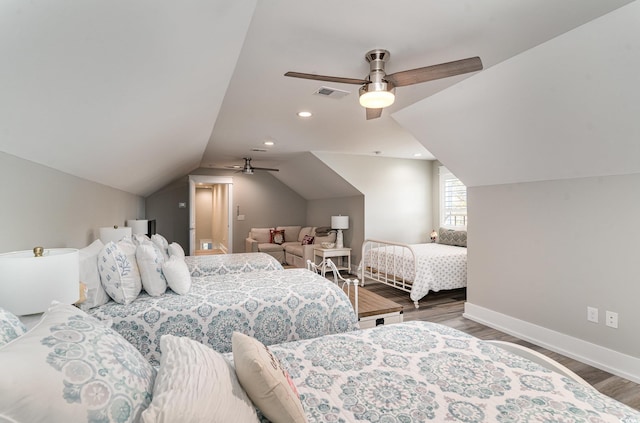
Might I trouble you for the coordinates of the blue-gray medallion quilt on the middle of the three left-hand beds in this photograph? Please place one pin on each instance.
(272, 306)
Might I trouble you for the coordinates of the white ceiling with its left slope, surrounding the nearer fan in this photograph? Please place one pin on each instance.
(133, 94)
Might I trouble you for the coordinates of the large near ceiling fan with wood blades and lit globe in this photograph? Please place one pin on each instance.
(377, 90)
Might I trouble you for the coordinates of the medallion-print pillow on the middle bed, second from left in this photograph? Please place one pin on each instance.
(119, 272)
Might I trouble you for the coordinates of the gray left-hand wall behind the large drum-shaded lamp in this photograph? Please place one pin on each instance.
(43, 206)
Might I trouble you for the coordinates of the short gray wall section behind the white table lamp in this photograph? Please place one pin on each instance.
(319, 213)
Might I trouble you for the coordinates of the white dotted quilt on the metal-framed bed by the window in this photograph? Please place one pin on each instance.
(438, 266)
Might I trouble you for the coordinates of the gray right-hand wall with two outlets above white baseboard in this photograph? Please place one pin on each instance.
(544, 251)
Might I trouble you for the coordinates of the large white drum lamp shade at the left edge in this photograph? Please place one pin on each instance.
(29, 284)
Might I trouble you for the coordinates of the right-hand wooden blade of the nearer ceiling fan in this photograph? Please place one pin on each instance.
(430, 73)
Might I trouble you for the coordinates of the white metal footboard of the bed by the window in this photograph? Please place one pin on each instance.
(402, 279)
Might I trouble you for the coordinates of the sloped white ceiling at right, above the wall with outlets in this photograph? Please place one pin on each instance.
(565, 109)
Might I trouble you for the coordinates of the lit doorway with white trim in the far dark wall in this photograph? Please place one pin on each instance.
(210, 225)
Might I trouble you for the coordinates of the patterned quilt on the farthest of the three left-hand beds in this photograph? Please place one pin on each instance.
(220, 264)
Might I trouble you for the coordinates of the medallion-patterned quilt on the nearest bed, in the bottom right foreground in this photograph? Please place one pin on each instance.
(421, 371)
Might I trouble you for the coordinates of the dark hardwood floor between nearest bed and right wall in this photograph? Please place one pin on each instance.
(446, 307)
